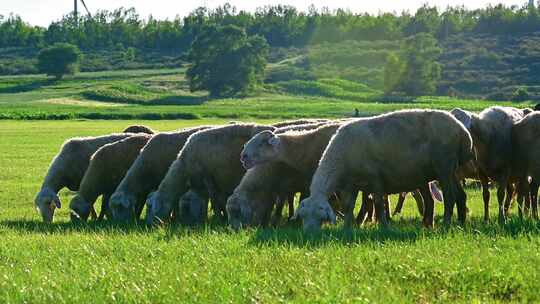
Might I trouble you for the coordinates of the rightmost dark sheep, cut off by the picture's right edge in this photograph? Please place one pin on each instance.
(526, 145)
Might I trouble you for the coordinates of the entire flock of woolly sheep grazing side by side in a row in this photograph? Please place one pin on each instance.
(250, 172)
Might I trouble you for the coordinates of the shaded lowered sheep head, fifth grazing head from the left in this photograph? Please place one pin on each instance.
(192, 209)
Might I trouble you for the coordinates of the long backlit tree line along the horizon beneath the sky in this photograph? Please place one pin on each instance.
(280, 25)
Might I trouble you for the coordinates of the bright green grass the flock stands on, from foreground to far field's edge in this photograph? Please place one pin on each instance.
(65, 263)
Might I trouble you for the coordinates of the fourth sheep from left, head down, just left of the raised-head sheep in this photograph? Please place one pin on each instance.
(208, 157)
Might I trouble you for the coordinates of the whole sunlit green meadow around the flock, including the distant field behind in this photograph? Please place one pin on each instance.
(105, 262)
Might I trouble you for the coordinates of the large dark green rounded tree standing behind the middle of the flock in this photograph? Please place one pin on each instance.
(226, 61)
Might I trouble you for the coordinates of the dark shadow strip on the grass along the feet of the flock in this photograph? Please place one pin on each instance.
(407, 230)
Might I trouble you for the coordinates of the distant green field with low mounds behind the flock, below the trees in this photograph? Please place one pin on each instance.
(163, 94)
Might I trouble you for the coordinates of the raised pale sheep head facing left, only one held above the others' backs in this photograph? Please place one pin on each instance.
(261, 148)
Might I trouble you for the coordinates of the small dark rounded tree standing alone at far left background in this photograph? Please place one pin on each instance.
(59, 59)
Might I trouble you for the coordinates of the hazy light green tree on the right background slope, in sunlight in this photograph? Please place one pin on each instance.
(416, 71)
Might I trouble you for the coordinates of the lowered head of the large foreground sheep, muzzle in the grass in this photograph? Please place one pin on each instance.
(314, 211)
